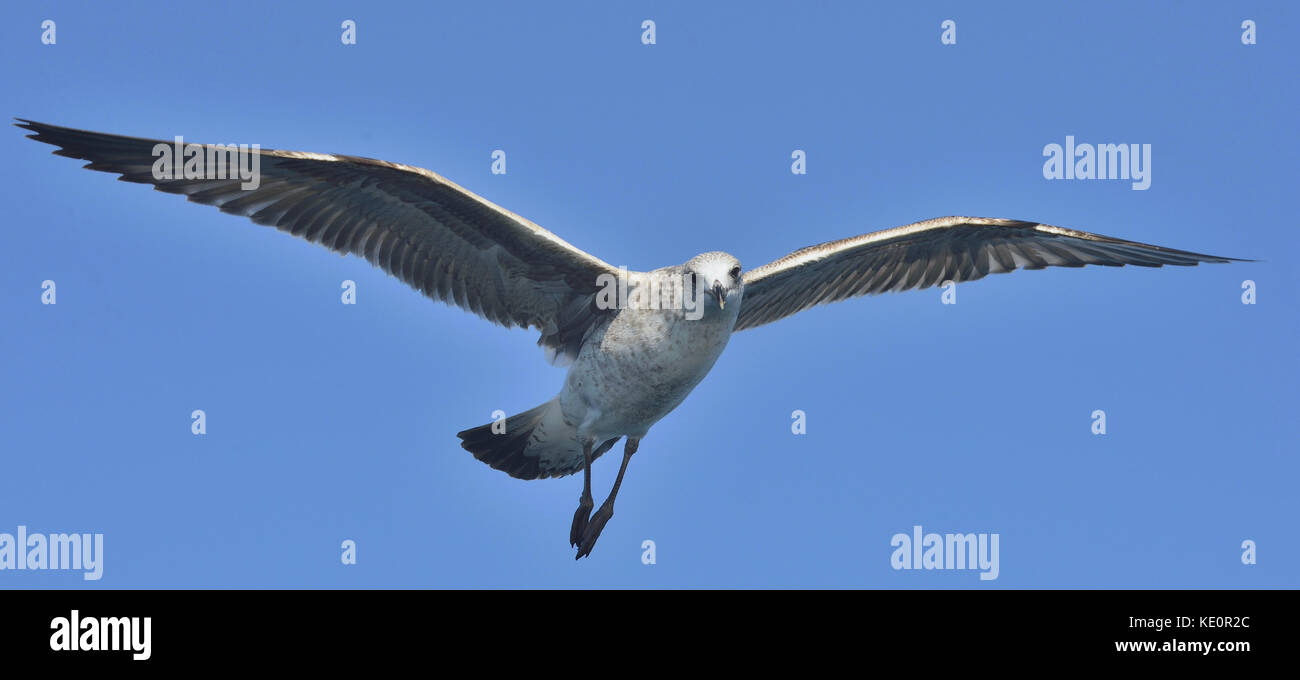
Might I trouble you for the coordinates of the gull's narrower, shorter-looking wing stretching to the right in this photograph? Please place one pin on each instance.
(929, 254)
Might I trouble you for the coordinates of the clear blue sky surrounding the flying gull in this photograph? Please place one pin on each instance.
(331, 423)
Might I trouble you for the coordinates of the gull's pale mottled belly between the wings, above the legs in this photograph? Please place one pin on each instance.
(642, 369)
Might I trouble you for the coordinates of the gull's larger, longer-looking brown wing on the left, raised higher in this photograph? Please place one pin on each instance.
(437, 237)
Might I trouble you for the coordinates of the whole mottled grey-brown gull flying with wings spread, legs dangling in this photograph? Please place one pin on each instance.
(631, 363)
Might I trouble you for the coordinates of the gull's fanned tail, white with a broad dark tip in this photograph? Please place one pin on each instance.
(535, 444)
